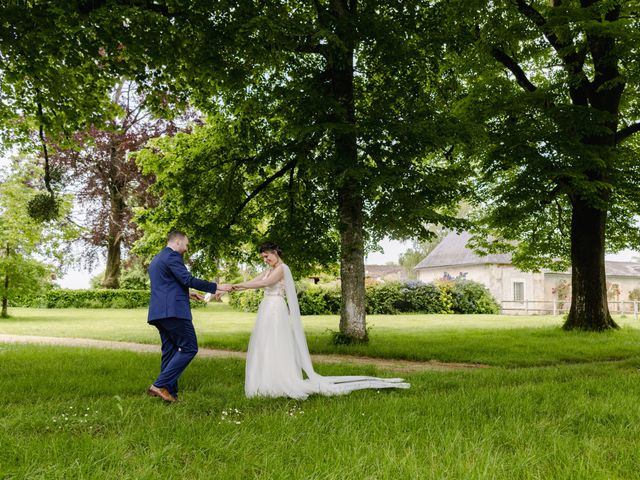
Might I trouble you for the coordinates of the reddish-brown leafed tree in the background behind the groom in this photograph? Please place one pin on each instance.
(106, 181)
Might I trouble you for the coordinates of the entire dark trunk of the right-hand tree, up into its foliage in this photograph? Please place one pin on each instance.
(589, 306)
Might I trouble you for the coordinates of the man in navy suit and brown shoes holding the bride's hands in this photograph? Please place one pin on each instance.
(170, 313)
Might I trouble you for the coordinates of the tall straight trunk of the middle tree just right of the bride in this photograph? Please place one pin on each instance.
(350, 203)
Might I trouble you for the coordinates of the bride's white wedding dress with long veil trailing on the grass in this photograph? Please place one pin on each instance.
(278, 354)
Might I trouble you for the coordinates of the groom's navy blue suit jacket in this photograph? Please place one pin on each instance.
(170, 283)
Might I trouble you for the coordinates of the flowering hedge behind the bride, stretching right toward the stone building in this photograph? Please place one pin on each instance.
(458, 296)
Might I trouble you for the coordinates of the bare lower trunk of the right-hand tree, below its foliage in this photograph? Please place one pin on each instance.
(589, 307)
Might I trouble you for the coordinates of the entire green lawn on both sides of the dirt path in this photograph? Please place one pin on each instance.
(554, 405)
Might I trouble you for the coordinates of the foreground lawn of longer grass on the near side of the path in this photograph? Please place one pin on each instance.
(82, 414)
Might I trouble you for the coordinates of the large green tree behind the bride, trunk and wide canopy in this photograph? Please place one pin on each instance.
(346, 96)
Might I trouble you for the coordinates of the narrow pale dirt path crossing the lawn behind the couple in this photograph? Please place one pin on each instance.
(384, 363)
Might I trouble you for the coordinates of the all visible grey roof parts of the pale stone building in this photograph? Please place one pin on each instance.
(453, 251)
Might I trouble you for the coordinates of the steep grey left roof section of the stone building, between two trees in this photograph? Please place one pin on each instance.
(452, 250)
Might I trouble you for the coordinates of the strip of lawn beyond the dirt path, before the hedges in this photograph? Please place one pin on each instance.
(512, 341)
